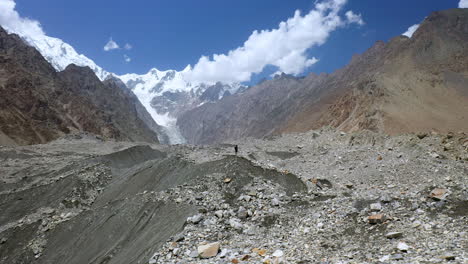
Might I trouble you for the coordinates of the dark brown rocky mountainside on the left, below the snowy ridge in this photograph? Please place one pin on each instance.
(39, 105)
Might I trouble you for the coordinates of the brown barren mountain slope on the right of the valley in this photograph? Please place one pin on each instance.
(405, 85)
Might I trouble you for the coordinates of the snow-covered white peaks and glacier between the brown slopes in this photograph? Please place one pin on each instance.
(165, 94)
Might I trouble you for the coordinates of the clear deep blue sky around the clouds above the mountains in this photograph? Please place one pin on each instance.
(173, 34)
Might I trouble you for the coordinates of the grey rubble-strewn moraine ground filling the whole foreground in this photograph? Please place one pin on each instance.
(320, 197)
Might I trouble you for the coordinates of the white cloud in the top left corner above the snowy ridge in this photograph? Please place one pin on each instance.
(12, 22)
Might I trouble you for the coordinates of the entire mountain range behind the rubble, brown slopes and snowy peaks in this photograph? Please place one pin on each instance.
(406, 85)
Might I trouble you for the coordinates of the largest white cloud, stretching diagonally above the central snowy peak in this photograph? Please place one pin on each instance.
(284, 47)
